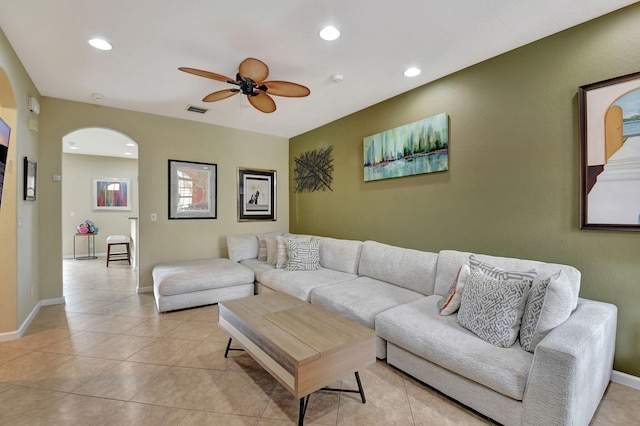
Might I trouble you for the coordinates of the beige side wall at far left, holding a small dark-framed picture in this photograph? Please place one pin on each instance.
(19, 226)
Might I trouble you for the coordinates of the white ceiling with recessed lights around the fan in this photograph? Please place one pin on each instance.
(152, 38)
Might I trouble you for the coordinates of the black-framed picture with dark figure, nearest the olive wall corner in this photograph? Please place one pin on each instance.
(256, 194)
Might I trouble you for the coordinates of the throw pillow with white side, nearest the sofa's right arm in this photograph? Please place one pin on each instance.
(549, 304)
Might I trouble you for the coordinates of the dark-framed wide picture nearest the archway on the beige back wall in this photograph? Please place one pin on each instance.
(193, 190)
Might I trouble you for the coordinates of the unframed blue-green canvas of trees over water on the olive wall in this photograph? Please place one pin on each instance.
(415, 148)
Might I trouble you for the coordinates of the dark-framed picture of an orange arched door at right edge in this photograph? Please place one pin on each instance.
(609, 133)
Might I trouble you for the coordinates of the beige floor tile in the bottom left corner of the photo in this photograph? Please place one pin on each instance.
(19, 402)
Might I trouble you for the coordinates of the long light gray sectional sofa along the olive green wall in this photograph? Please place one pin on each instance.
(398, 292)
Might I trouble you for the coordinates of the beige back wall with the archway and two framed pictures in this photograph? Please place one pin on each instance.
(159, 139)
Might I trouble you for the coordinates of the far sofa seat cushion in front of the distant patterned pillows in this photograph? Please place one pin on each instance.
(300, 283)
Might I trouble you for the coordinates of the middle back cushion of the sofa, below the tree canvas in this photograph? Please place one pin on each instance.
(412, 269)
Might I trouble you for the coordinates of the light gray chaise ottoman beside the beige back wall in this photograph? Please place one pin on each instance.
(191, 283)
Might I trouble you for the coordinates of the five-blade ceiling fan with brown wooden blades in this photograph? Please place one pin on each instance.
(250, 81)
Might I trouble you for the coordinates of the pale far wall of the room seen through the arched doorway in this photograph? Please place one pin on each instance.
(79, 171)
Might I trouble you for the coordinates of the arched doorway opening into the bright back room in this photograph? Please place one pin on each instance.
(92, 157)
